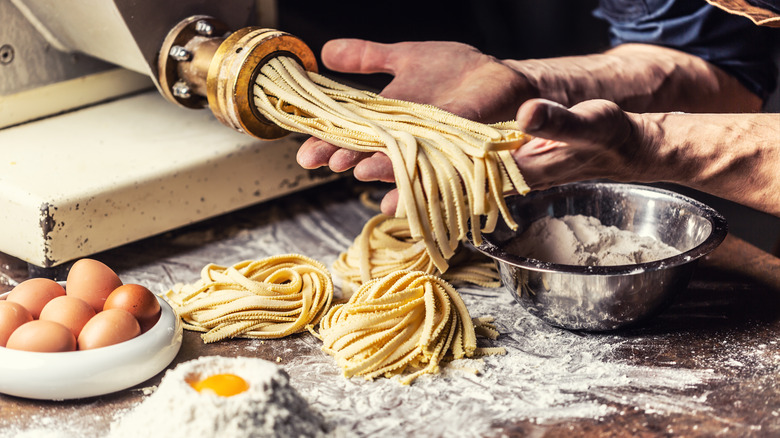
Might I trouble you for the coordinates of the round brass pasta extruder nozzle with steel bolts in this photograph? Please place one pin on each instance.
(201, 63)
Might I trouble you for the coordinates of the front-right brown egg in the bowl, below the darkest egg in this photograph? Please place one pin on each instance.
(108, 327)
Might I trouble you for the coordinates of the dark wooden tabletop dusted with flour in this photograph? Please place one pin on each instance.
(708, 366)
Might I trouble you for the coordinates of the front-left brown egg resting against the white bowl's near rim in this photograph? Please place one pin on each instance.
(43, 336)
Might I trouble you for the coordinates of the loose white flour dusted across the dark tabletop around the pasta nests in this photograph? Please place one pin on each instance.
(547, 375)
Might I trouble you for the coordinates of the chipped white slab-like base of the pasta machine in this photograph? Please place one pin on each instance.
(90, 180)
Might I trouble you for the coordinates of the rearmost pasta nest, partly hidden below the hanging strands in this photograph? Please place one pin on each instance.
(385, 245)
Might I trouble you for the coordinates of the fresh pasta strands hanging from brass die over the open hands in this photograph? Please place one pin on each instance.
(450, 171)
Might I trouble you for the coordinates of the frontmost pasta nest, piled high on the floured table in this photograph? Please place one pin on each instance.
(405, 319)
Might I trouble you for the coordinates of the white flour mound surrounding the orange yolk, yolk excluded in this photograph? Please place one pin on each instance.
(269, 408)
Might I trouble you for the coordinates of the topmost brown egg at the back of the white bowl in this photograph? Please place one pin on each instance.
(91, 281)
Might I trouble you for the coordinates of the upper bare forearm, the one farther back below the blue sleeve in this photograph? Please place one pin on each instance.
(639, 78)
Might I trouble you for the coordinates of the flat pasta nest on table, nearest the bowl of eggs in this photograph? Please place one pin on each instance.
(269, 298)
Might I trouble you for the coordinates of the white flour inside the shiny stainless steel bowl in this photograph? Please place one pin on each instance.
(584, 241)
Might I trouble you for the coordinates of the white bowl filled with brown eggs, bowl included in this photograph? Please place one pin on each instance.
(93, 336)
